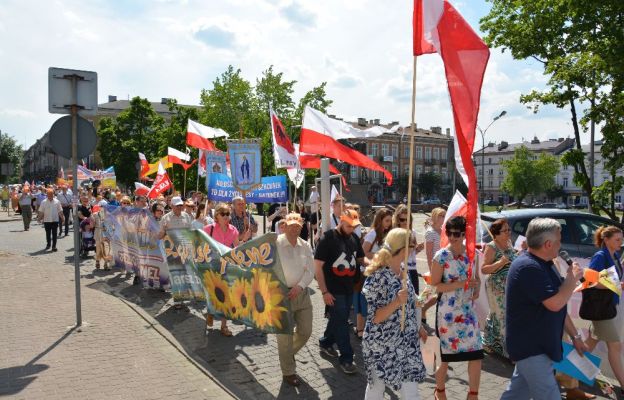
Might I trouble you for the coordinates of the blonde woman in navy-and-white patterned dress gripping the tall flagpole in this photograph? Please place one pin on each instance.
(392, 356)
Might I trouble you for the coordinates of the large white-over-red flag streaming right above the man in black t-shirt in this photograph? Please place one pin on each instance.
(320, 134)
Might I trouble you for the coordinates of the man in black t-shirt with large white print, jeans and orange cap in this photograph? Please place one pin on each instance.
(338, 256)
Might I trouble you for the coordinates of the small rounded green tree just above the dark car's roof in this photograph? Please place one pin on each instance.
(524, 175)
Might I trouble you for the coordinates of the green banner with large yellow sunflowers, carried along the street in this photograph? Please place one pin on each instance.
(245, 284)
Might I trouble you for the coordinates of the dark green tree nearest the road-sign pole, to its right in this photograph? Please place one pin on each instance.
(136, 129)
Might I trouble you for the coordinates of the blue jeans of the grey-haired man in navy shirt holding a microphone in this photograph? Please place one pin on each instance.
(533, 378)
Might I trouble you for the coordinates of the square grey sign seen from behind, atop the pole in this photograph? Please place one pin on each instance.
(61, 92)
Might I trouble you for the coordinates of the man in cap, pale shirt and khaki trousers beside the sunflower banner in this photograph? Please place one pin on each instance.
(298, 266)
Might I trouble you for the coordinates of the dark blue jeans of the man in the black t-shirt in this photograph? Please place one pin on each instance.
(337, 330)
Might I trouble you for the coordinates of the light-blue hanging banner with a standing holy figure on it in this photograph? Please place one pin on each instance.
(245, 163)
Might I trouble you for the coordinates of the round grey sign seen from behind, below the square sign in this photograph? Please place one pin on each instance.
(60, 137)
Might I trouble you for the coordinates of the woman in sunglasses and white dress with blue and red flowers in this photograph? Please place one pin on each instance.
(456, 318)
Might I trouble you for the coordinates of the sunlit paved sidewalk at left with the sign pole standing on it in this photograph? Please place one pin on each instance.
(115, 355)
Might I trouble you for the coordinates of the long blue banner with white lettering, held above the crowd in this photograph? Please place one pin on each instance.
(273, 189)
